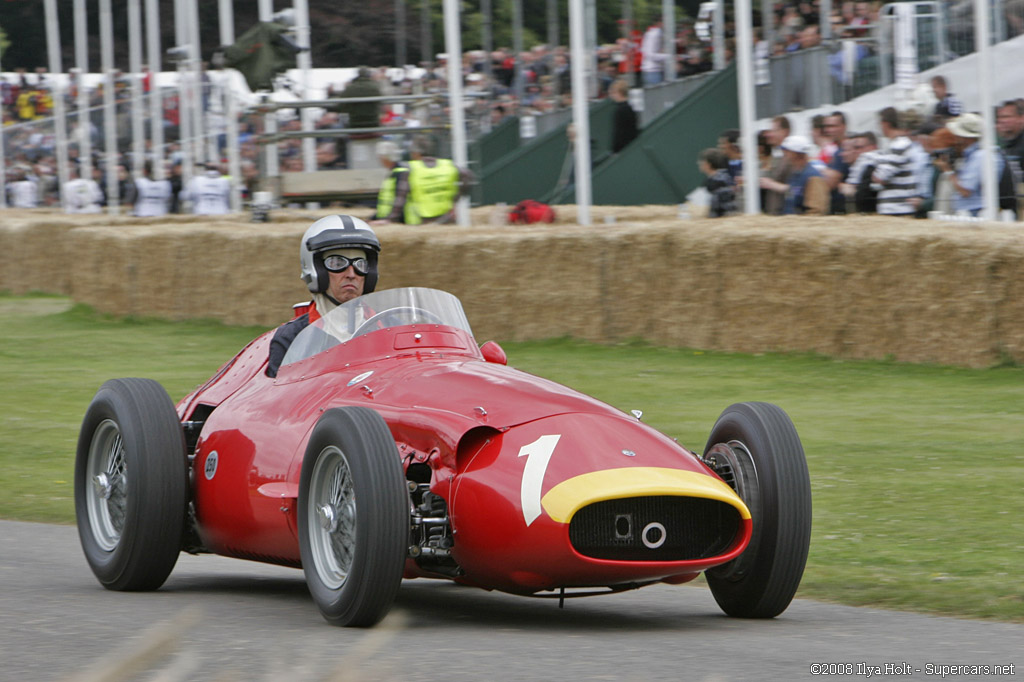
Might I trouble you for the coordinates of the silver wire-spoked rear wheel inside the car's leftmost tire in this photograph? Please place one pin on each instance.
(107, 499)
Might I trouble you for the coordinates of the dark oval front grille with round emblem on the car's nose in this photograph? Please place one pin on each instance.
(655, 529)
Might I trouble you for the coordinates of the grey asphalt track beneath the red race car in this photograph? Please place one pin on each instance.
(221, 619)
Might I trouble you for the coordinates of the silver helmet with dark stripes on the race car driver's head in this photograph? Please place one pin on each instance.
(336, 232)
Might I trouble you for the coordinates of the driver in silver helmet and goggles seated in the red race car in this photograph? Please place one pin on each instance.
(338, 258)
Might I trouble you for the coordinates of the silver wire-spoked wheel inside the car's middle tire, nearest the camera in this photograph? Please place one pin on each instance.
(331, 518)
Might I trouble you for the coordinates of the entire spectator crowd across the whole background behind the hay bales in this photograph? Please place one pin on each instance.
(910, 163)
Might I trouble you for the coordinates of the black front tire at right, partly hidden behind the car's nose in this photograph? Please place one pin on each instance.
(755, 447)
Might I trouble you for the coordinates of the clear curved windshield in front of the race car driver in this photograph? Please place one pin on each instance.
(381, 310)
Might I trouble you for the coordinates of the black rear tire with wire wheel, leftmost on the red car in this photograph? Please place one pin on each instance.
(132, 485)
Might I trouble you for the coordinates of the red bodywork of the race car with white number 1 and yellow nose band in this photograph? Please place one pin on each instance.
(514, 456)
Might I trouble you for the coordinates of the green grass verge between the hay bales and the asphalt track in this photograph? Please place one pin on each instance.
(917, 472)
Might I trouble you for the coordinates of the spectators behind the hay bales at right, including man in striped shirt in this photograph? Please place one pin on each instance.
(918, 163)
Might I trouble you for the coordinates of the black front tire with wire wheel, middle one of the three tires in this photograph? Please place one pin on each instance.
(354, 518)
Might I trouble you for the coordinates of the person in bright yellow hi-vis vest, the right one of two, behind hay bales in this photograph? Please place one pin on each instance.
(429, 192)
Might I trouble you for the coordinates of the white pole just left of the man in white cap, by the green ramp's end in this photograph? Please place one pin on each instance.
(748, 123)
